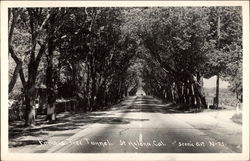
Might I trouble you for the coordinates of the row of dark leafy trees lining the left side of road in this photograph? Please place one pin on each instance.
(75, 52)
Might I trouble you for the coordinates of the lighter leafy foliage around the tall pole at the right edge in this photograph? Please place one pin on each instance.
(225, 43)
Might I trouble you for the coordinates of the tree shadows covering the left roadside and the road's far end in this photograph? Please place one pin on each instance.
(67, 123)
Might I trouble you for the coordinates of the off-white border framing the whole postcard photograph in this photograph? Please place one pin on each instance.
(118, 156)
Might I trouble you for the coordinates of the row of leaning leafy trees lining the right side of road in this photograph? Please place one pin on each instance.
(182, 45)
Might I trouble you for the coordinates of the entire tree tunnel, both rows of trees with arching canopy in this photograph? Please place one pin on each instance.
(97, 55)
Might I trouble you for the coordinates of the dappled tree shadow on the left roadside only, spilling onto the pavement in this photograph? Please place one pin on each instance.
(65, 124)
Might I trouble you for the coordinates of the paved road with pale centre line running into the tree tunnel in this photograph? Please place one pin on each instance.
(145, 125)
